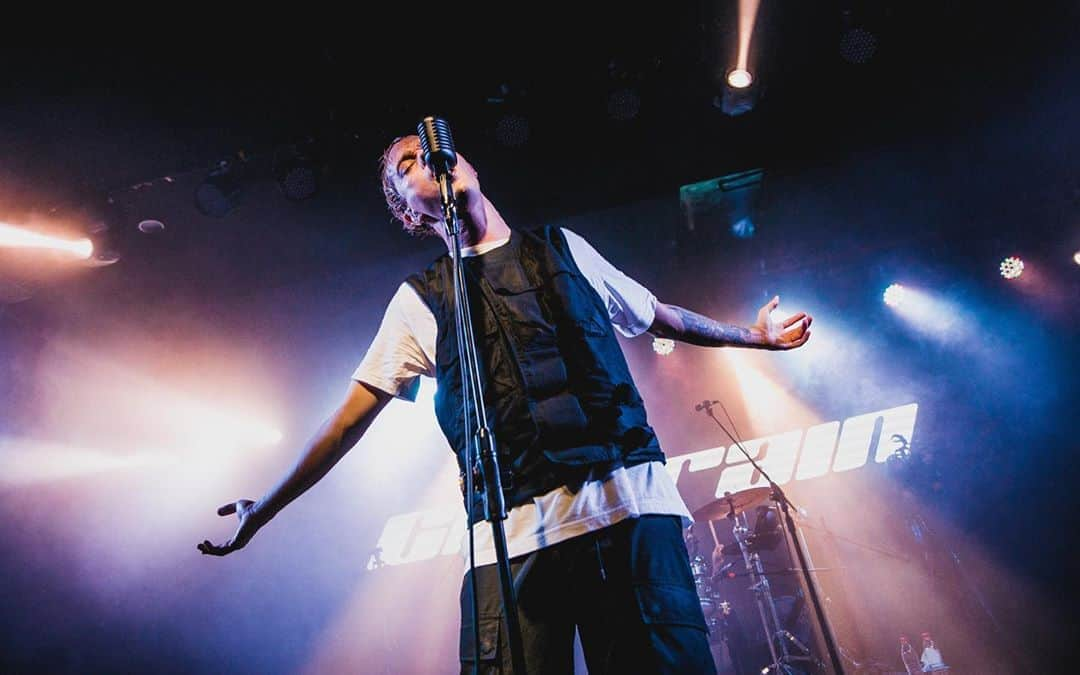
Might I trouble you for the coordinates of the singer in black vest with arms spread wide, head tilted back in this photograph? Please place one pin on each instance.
(595, 528)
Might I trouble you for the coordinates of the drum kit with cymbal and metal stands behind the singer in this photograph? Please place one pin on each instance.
(714, 578)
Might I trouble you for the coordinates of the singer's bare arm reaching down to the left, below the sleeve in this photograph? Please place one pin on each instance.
(330, 444)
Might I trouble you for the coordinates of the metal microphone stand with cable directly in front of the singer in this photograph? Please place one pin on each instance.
(479, 435)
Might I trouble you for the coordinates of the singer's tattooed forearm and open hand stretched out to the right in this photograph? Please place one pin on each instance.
(682, 325)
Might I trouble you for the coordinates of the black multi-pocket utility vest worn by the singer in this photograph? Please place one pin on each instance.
(558, 391)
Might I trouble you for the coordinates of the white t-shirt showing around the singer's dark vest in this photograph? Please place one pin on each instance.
(404, 348)
